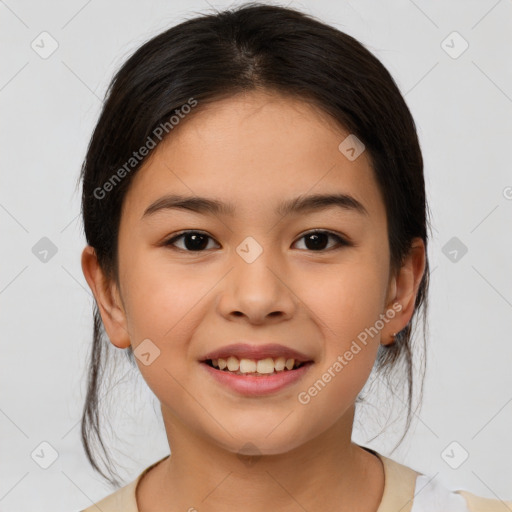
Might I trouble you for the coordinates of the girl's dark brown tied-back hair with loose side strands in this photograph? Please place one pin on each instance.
(217, 55)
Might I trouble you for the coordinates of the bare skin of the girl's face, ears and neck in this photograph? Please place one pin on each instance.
(256, 150)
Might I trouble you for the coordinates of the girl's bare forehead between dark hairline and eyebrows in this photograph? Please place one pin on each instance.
(254, 149)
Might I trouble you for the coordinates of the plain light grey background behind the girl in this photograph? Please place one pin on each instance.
(462, 105)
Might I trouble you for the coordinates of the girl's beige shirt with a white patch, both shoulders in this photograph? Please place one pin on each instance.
(401, 485)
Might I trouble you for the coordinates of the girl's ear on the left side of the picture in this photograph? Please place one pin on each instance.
(108, 299)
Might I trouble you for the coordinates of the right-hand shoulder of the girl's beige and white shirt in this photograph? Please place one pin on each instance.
(409, 490)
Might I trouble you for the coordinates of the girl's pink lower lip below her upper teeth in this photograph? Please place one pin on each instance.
(249, 385)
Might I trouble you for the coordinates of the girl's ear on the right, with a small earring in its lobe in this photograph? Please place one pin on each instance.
(402, 291)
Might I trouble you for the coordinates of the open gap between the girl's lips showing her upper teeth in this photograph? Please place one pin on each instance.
(252, 367)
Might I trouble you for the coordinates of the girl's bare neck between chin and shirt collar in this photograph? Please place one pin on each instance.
(328, 472)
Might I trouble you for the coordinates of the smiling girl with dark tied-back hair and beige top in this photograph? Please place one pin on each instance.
(228, 148)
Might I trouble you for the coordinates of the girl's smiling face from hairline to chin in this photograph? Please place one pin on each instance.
(256, 275)
